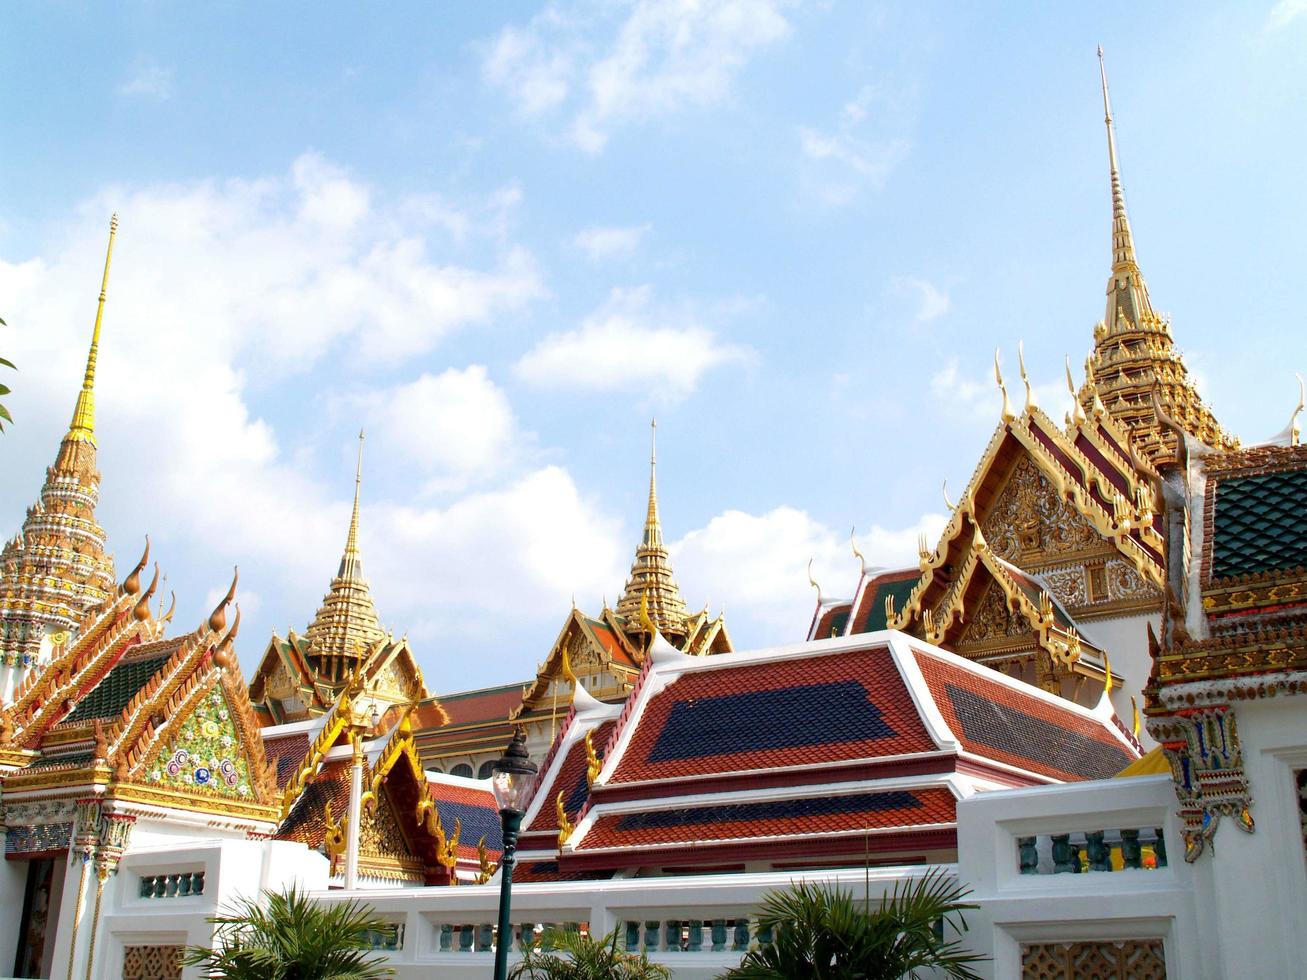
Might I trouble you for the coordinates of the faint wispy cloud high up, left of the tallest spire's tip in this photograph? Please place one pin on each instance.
(844, 161)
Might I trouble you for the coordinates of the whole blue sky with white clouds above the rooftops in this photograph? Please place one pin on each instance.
(504, 236)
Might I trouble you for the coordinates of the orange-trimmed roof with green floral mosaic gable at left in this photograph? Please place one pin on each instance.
(130, 714)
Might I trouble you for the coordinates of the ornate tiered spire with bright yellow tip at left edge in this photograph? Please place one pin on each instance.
(56, 569)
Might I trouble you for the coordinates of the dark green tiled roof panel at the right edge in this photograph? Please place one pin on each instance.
(1261, 525)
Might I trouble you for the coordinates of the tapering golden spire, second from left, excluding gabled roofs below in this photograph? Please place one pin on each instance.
(346, 627)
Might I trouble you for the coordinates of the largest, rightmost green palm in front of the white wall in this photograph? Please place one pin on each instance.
(823, 934)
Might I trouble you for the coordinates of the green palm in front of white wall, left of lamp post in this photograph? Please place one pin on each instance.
(288, 936)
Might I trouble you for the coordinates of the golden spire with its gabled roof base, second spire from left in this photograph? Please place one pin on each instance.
(346, 646)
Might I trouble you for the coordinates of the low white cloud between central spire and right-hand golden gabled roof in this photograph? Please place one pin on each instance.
(757, 565)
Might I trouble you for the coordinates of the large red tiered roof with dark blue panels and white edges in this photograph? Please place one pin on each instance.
(818, 753)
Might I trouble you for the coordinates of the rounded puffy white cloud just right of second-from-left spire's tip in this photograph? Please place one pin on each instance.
(458, 427)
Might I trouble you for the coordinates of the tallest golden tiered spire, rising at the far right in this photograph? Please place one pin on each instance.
(1134, 353)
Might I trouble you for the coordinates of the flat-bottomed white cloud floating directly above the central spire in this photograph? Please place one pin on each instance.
(625, 346)
